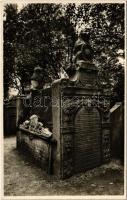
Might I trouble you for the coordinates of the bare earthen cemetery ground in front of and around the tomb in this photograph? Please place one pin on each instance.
(23, 178)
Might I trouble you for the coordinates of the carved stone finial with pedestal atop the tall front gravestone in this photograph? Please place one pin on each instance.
(83, 72)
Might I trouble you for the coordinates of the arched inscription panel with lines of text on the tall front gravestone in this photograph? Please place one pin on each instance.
(87, 139)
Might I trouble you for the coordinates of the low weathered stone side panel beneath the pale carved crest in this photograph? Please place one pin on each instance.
(34, 147)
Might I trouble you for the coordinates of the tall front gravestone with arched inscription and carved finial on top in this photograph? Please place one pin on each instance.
(81, 123)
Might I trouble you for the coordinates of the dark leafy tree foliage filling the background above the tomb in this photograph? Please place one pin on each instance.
(44, 35)
